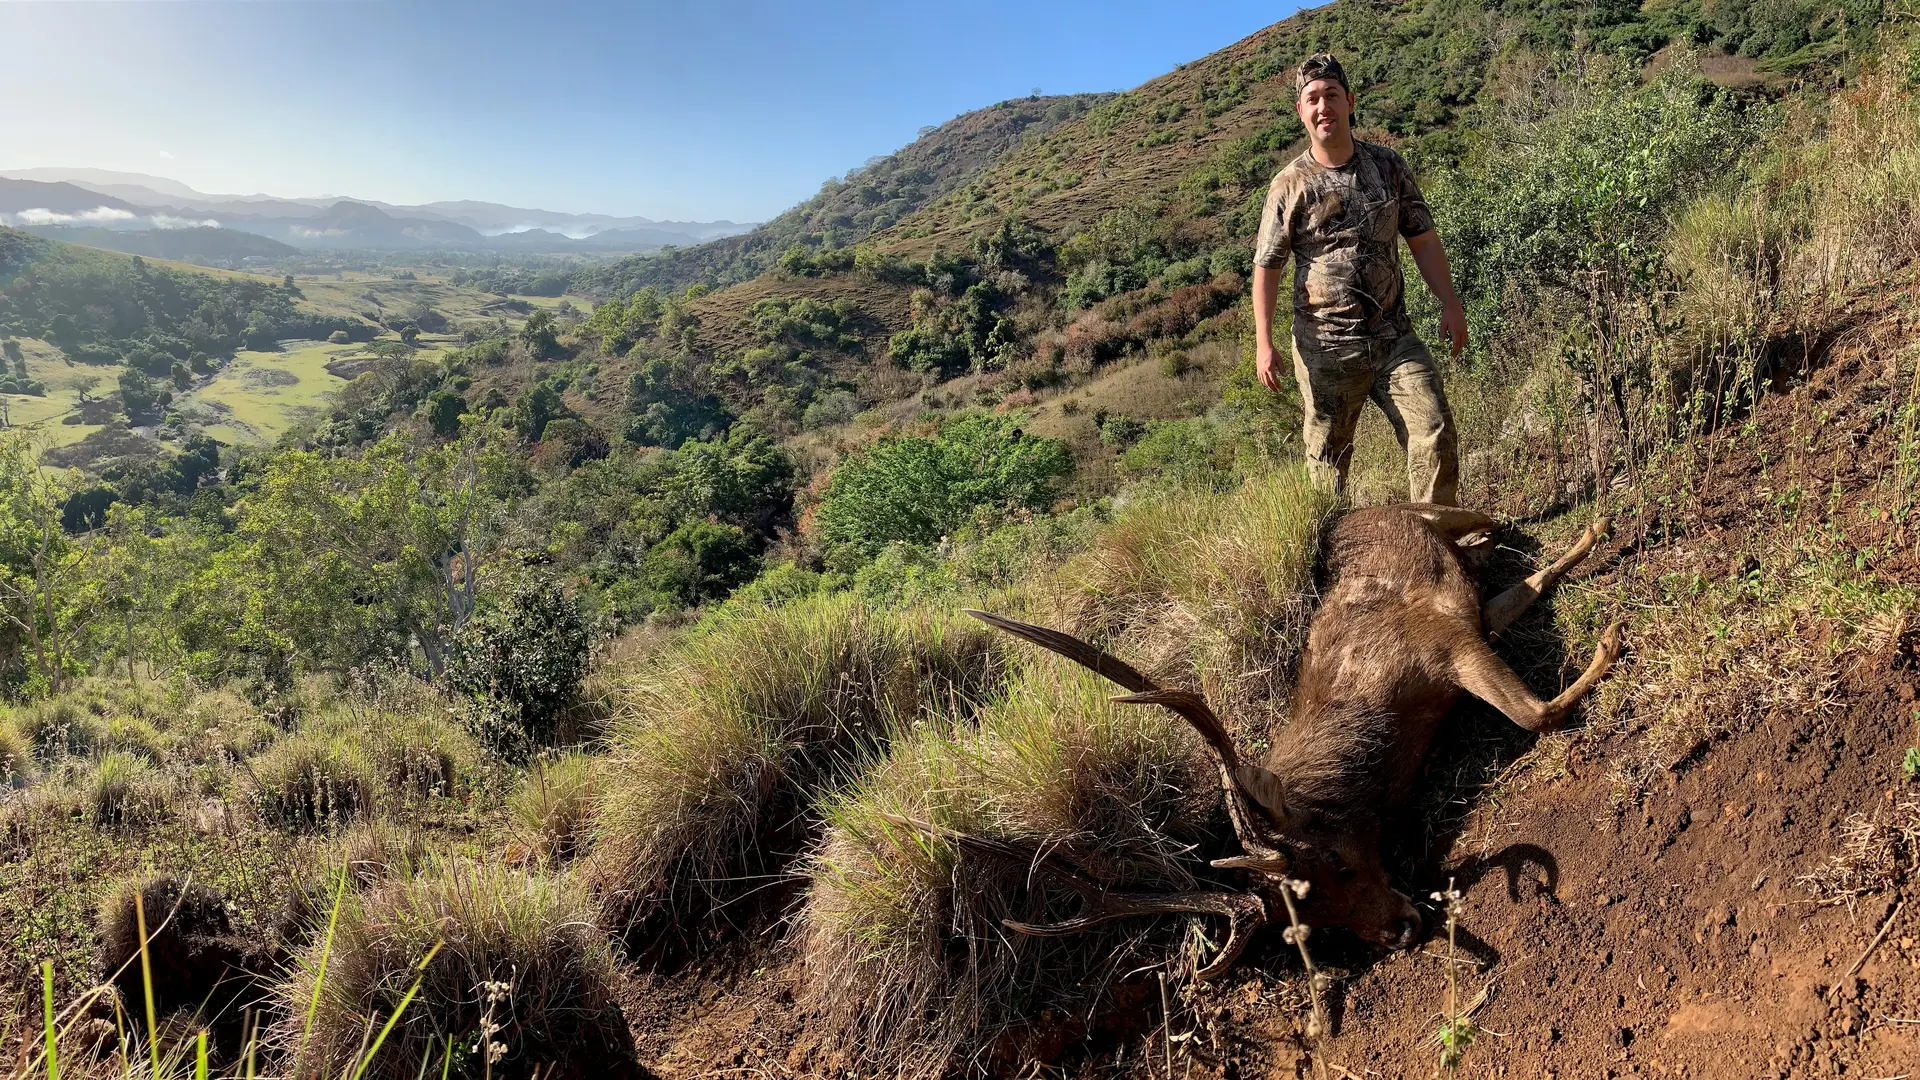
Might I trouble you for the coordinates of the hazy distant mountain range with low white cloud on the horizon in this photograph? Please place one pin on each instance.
(103, 203)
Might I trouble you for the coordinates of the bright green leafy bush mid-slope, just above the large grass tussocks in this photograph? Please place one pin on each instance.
(917, 491)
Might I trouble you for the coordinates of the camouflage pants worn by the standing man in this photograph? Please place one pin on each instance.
(1403, 378)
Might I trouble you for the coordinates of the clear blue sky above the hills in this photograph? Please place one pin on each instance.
(700, 110)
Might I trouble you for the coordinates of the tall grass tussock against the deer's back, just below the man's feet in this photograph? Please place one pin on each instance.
(1211, 589)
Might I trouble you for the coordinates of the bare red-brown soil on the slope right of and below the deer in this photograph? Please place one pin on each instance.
(1660, 933)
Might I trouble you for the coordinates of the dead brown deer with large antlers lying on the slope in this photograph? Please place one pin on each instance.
(1399, 637)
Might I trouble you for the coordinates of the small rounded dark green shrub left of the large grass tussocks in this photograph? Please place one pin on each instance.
(521, 668)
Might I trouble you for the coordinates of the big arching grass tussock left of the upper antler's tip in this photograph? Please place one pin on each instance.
(711, 764)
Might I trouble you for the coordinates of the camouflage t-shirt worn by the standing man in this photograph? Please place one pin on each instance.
(1343, 230)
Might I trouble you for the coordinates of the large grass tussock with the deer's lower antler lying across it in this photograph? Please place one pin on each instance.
(905, 954)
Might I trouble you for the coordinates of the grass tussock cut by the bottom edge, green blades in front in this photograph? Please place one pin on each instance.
(521, 981)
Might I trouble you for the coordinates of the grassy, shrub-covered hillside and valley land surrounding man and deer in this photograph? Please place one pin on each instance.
(477, 683)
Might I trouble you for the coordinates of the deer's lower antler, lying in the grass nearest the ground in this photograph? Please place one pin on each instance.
(1243, 912)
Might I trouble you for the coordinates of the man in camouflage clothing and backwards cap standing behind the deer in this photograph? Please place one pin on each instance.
(1337, 210)
